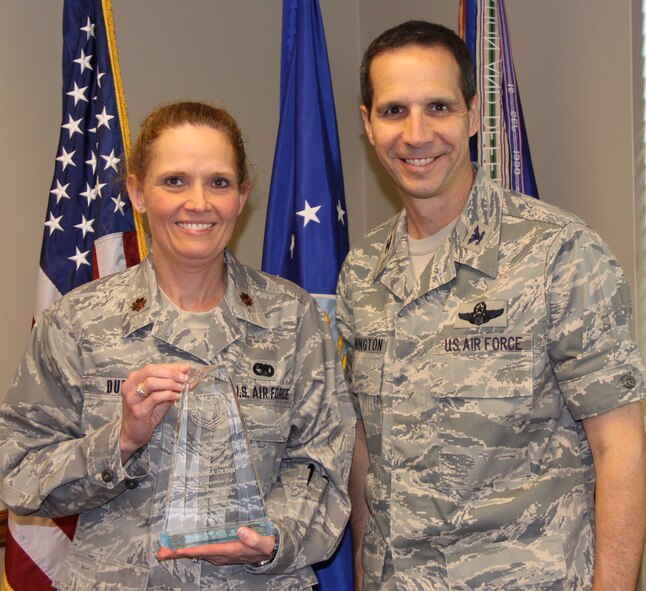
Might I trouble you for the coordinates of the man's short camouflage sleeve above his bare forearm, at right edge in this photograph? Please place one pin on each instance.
(594, 357)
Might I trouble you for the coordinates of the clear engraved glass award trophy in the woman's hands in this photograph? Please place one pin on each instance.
(213, 488)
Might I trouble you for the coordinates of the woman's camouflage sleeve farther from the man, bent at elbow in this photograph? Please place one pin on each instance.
(49, 465)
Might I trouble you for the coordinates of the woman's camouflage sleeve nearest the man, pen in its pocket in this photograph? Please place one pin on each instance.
(309, 503)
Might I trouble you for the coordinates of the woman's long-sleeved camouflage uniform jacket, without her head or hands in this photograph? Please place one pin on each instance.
(59, 427)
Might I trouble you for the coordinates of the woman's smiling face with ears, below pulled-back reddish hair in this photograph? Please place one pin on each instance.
(190, 194)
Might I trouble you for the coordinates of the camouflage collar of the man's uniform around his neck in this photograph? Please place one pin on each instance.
(474, 242)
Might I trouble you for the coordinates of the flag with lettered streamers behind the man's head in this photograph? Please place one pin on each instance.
(501, 144)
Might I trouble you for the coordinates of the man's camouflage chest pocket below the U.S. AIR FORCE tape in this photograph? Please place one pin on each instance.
(484, 402)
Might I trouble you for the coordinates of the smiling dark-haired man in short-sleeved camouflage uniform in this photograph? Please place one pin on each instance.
(493, 380)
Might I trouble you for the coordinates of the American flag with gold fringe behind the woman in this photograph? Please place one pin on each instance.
(90, 230)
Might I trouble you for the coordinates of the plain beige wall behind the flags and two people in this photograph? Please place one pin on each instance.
(573, 62)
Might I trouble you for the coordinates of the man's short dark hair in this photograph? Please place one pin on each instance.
(424, 34)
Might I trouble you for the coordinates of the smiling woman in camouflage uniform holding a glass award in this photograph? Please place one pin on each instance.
(88, 425)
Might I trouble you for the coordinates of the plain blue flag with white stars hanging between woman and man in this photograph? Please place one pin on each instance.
(306, 235)
